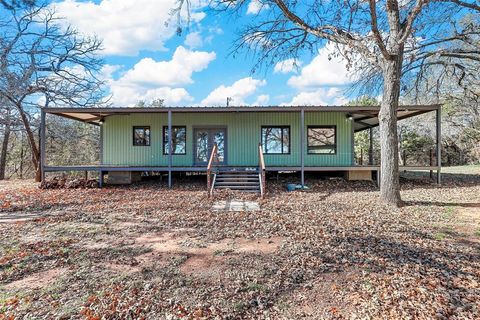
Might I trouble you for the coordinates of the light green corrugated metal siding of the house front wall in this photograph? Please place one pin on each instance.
(243, 136)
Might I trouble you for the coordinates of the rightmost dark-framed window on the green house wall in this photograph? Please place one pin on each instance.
(322, 140)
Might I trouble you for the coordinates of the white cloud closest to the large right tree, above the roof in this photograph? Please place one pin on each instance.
(322, 71)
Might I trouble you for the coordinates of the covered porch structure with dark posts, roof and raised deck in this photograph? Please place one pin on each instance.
(361, 118)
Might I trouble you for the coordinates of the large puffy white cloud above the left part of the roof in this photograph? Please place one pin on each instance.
(149, 79)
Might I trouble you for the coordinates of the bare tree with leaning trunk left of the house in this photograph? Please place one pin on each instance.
(43, 63)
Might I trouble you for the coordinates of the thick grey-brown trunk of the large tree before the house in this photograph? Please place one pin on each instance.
(389, 181)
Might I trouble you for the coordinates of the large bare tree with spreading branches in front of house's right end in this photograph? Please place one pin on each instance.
(383, 34)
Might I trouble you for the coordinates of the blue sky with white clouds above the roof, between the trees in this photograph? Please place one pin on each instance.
(146, 60)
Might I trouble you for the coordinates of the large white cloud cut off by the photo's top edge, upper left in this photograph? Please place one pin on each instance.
(125, 26)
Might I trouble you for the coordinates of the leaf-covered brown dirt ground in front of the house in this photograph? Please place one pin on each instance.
(334, 252)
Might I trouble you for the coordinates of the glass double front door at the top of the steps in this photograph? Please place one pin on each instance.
(204, 139)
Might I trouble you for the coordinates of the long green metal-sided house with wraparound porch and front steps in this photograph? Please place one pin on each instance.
(227, 142)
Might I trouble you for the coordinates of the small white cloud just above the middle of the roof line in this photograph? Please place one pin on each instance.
(238, 91)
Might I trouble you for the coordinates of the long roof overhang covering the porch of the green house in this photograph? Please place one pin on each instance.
(364, 117)
